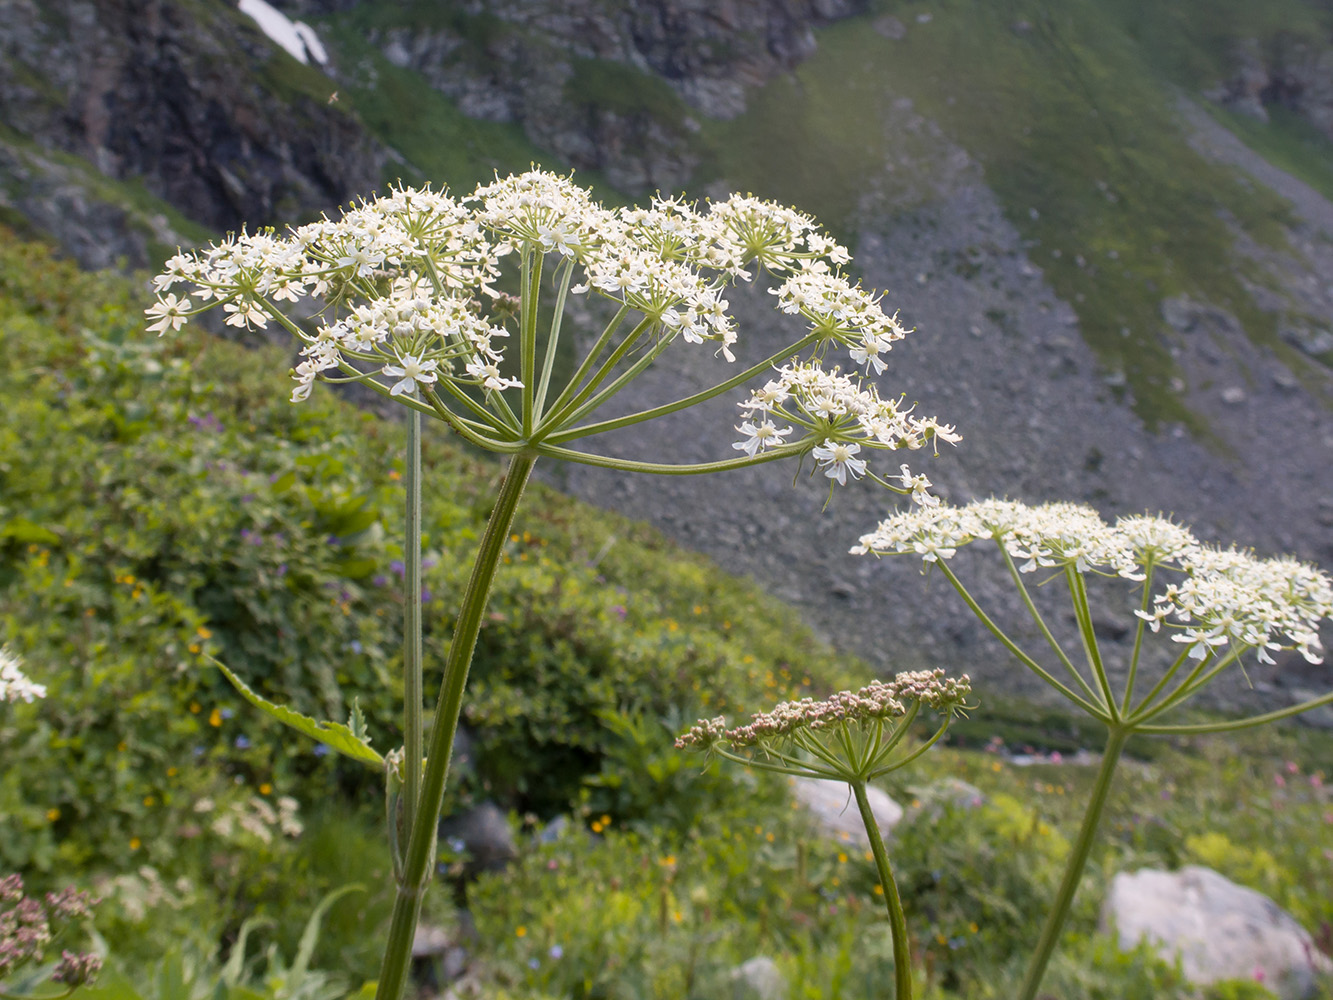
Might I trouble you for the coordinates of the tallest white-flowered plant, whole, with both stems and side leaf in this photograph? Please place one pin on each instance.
(413, 310)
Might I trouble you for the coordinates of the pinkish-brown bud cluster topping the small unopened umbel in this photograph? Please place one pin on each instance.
(876, 701)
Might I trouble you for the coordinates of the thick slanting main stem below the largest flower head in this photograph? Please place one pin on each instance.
(407, 906)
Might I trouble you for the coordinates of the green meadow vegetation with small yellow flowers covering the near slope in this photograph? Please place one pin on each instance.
(162, 501)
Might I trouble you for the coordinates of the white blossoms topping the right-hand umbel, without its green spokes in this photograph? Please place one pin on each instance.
(1220, 597)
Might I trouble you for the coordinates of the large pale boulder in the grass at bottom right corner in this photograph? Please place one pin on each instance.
(1220, 930)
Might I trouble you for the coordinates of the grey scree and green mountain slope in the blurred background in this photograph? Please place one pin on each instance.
(1107, 306)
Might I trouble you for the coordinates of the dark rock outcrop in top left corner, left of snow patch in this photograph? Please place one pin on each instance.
(187, 102)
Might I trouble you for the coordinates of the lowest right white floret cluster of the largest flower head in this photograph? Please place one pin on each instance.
(843, 414)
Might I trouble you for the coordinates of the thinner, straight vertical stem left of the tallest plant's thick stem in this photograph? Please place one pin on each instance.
(413, 627)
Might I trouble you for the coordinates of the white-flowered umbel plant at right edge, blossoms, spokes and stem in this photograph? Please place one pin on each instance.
(1216, 606)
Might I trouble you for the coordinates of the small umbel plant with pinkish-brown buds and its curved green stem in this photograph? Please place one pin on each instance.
(852, 738)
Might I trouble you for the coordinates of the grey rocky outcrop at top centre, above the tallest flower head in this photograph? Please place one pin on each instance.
(611, 87)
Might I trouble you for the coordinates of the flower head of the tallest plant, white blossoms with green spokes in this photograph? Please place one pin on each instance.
(411, 310)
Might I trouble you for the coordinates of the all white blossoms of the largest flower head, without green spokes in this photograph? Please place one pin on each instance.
(413, 307)
